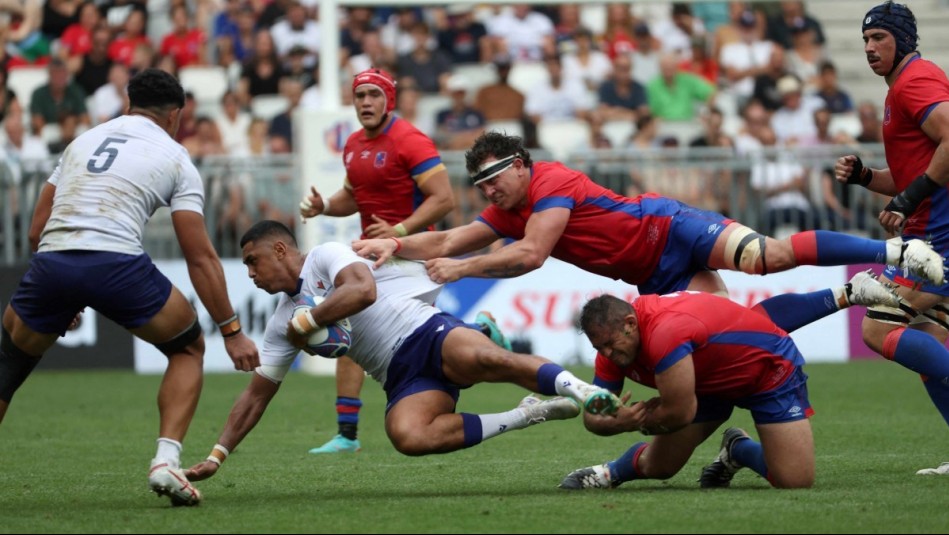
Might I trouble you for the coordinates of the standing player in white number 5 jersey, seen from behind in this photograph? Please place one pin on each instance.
(87, 233)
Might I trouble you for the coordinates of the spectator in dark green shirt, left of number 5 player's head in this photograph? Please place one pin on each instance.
(58, 102)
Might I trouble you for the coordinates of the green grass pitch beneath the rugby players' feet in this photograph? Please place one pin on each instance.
(76, 448)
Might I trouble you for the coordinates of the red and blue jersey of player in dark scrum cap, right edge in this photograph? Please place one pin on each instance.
(920, 86)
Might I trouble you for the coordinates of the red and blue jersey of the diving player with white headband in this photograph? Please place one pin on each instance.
(607, 234)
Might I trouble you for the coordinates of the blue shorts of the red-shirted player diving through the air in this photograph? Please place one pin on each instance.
(692, 235)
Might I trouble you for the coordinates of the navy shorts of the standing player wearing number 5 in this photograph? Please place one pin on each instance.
(127, 289)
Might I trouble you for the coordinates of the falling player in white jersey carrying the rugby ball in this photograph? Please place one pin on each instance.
(420, 355)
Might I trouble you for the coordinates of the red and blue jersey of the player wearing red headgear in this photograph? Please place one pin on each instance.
(384, 173)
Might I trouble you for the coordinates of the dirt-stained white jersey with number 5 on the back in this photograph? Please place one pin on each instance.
(109, 182)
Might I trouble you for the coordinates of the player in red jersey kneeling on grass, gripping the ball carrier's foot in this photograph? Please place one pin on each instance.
(707, 355)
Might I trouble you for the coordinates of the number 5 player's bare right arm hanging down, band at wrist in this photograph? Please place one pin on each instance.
(207, 275)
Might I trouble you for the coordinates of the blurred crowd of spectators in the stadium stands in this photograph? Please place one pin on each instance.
(734, 75)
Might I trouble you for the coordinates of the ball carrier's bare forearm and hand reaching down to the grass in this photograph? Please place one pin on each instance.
(245, 414)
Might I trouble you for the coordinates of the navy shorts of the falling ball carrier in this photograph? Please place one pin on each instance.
(417, 364)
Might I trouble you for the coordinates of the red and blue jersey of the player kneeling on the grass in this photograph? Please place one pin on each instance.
(736, 351)
